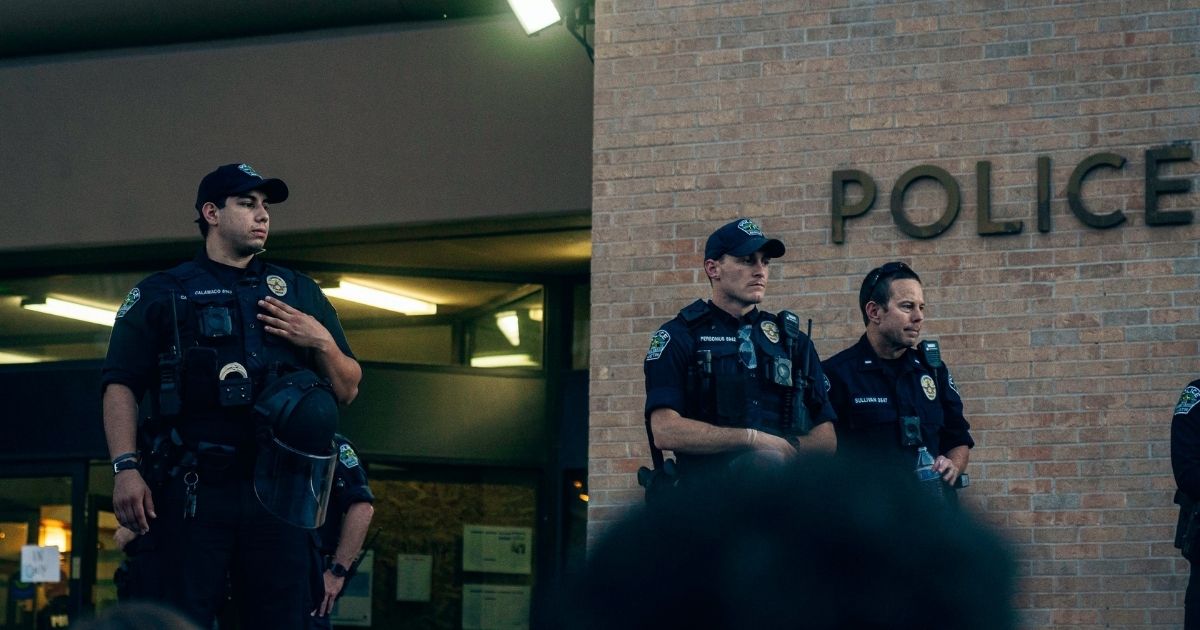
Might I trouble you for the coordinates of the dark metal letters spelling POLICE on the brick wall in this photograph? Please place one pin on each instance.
(842, 211)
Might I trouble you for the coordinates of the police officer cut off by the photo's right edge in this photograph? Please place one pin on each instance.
(1186, 466)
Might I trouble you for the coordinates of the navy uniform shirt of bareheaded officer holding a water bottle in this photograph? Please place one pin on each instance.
(871, 395)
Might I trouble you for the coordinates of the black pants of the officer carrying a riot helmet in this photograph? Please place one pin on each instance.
(232, 547)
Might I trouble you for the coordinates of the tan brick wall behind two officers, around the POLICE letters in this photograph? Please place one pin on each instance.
(1070, 346)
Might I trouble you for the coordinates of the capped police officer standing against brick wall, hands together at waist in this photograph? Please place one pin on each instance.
(730, 387)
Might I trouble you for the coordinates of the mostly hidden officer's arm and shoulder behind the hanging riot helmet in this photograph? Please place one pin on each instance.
(340, 541)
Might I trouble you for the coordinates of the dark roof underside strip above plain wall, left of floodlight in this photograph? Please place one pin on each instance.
(31, 28)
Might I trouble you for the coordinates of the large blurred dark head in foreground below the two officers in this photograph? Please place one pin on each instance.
(823, 544)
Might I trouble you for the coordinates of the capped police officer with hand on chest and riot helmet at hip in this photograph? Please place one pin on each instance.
(244, 364)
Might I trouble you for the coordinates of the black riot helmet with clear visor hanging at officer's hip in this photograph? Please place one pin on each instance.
(296, 417)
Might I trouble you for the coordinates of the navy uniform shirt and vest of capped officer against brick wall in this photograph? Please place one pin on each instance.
(748, 399)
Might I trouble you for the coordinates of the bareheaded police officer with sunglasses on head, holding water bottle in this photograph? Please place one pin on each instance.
(892, 394)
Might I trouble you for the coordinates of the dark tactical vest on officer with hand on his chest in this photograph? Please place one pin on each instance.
(226, 352)
